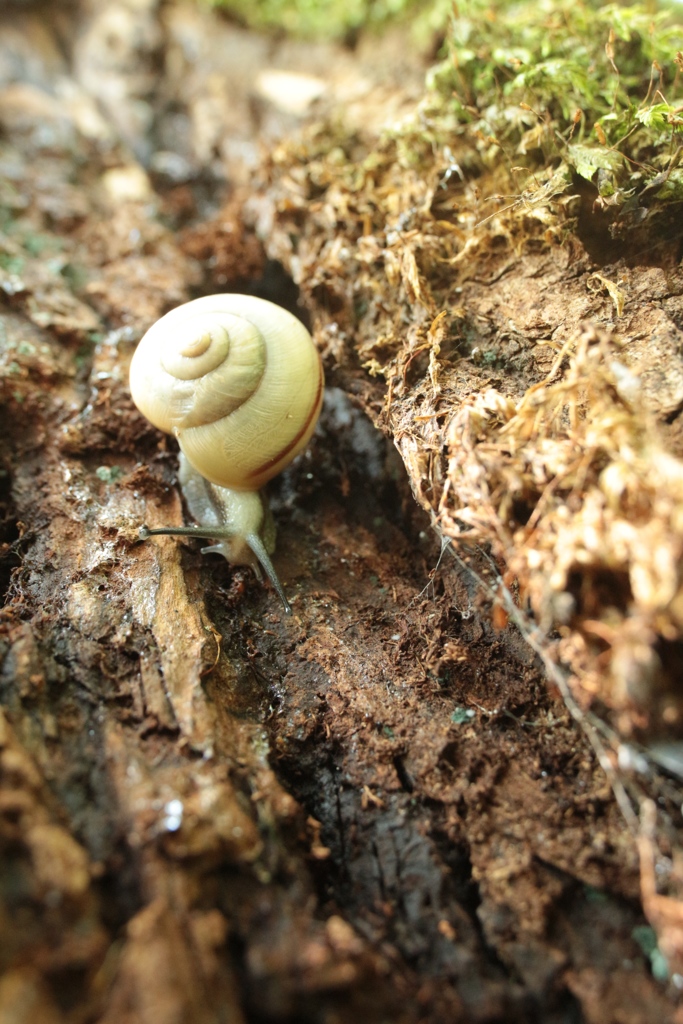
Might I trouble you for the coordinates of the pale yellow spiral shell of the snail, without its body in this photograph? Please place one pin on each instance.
(237, 379)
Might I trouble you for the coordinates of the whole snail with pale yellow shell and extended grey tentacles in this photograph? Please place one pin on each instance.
(239, 382)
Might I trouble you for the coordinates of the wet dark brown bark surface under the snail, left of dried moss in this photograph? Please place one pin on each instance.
(375, 809)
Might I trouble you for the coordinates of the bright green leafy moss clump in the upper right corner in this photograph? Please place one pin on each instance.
(594, 89)
